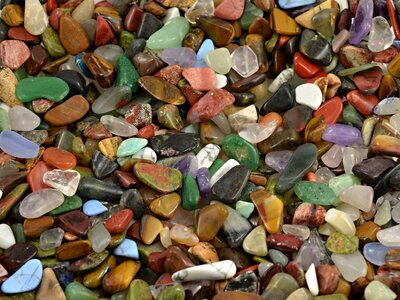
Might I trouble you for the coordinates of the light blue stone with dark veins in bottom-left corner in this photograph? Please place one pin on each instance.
(27, 278)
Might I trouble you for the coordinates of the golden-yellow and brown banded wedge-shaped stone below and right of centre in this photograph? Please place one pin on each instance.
(270, 209)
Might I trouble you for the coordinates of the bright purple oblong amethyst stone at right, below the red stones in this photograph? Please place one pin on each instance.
(341, 134)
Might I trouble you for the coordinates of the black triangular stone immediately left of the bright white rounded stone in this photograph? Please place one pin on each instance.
(279, 102)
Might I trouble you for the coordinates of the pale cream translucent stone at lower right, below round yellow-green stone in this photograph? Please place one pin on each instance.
(351, 266)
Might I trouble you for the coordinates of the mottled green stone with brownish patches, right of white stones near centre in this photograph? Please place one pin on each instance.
(244, 152)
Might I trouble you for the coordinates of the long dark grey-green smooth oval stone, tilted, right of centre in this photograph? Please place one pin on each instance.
(299, 164)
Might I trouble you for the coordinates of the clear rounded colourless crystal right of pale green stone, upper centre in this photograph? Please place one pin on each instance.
(244, 61)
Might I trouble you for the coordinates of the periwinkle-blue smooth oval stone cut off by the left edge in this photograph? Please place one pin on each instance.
(16, 145)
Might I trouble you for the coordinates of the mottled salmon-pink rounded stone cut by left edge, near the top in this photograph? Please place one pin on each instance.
(13, 53)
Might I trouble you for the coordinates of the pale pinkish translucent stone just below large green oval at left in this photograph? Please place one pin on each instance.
(23, 119)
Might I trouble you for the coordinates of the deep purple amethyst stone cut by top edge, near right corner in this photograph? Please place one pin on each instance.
(362, 21)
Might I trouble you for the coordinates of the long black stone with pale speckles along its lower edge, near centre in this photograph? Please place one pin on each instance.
(174, 144)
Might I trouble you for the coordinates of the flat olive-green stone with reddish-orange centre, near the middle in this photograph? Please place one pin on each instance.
(160, 178)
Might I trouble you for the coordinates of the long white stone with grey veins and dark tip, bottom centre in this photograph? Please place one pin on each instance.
(215, 271)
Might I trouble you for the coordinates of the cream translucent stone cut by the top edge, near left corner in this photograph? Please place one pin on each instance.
(35, 18)
